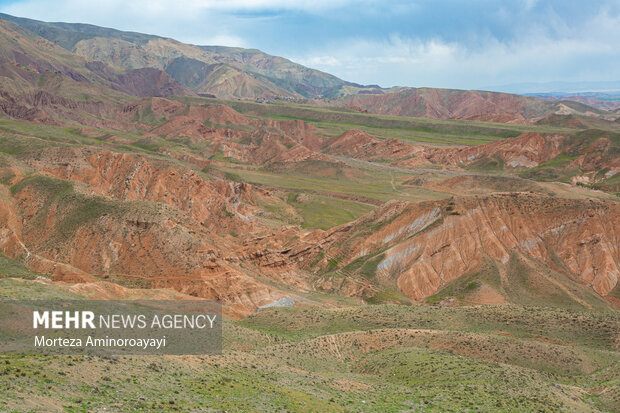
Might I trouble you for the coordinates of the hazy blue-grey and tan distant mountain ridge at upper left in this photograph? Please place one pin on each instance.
(228, 72)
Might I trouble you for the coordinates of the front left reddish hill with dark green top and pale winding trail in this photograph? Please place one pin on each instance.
(74, 237)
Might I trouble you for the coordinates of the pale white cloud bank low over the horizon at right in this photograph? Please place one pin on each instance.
(587, 53)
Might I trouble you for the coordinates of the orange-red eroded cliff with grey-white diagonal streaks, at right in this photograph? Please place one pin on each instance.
(422, 247)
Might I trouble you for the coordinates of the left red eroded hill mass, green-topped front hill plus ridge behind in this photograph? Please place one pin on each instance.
(134, 220)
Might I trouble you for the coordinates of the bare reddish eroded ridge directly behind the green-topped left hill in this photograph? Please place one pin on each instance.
(225, 204)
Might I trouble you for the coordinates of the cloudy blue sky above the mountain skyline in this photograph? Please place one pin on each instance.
(466, 44)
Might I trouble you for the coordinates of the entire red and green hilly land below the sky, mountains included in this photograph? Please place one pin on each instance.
(382, 250)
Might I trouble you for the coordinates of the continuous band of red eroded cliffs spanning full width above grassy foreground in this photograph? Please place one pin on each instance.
(146, 221)
